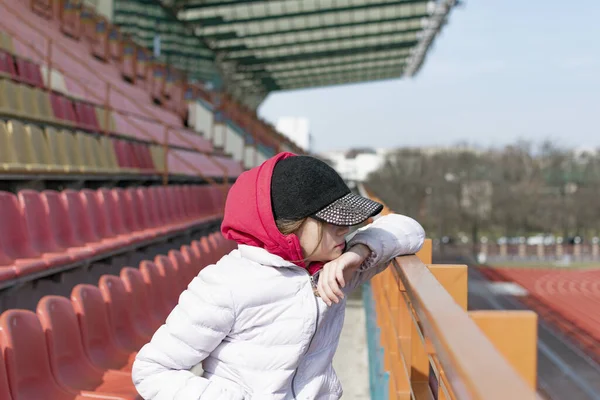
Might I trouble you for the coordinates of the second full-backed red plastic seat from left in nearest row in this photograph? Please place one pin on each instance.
(65, 348)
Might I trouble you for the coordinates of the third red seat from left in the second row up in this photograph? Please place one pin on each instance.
(62, 224)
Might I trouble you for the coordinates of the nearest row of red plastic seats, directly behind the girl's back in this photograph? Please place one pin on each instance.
(84, 347)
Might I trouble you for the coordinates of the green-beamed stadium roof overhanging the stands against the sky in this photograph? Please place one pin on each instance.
(262, 46)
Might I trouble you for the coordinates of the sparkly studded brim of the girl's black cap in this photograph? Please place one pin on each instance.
(349, 210)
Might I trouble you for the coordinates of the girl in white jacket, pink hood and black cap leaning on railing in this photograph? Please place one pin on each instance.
(265, 321)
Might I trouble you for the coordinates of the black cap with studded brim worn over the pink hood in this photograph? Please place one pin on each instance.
(304, 186)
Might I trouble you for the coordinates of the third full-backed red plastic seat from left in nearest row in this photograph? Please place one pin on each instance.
(98, 342)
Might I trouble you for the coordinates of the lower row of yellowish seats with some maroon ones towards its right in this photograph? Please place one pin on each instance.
(28, 148)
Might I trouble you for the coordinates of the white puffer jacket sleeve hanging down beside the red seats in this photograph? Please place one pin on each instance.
(195, 327)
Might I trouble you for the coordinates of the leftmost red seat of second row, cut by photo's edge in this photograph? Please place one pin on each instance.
(14, 238)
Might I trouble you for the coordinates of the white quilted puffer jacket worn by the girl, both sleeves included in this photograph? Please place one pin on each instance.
(256, 324)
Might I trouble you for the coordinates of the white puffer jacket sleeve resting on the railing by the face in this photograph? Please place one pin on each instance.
(387, 237)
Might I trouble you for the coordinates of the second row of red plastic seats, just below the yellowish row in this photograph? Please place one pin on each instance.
(41, 231)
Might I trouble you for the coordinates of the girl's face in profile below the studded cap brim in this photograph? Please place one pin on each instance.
(331, 246)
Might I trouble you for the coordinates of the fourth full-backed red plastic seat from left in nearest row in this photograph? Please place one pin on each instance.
(118, 301)
